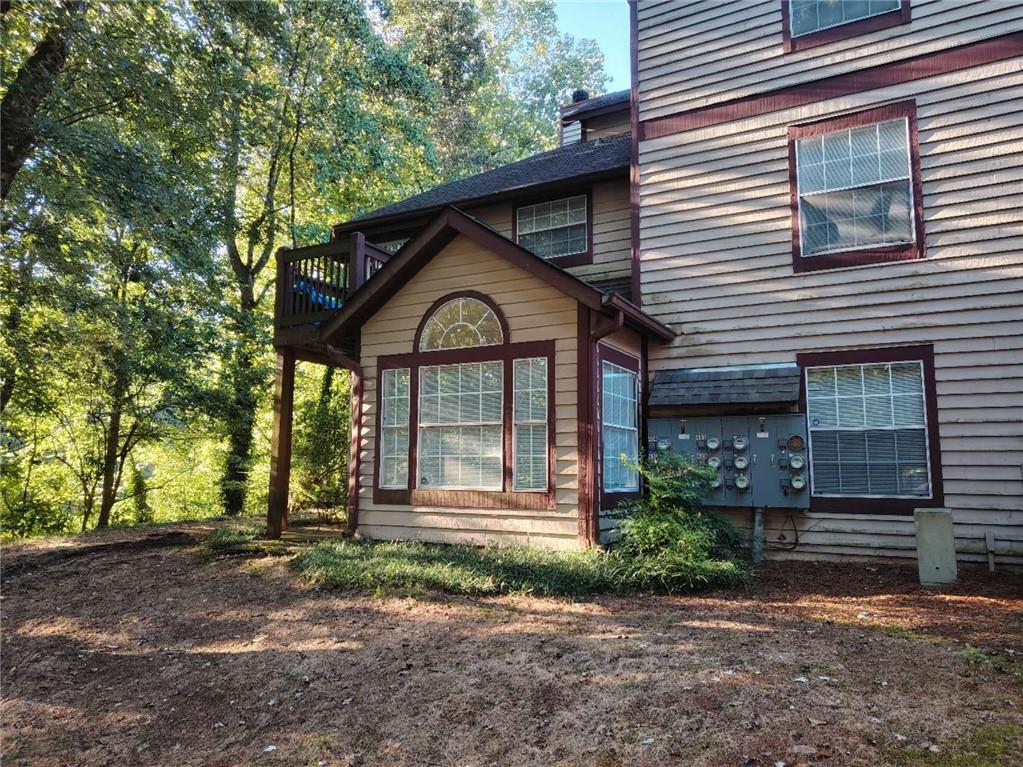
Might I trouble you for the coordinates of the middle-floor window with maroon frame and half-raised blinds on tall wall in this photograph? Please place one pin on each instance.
(857, 190)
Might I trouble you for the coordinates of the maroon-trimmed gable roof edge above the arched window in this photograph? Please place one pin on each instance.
(444, 228)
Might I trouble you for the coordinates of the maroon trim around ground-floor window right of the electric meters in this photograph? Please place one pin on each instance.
(874, 506)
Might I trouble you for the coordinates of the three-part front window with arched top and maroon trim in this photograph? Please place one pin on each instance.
(464, 419)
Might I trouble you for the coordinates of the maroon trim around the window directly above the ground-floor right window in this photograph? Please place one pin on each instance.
(880, 255)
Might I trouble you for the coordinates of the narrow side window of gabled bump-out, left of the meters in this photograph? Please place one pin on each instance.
(619, 416)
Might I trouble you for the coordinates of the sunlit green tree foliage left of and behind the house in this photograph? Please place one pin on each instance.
(181, 146)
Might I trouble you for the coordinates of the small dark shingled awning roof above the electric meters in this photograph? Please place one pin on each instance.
(736, 386)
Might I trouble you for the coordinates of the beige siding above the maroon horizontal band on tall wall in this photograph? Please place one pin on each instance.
(735, 50)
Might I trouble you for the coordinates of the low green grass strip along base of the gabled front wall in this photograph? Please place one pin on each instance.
(414, 568)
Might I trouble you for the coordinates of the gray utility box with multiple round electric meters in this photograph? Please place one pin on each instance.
(762, 461)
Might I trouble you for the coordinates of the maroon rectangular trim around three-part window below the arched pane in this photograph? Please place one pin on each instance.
(505, 499)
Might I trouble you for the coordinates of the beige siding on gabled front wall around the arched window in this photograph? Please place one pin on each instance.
(536, 311)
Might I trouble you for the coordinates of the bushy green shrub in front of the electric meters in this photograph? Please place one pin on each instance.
(665, 543)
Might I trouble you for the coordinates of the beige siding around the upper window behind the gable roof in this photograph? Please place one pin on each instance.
(611, 230)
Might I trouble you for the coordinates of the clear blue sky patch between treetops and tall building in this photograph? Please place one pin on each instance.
(607, 22)
